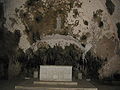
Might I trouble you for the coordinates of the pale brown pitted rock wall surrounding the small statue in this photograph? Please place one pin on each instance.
(87, 21)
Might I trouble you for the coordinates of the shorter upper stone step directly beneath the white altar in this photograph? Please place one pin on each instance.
(55, 83)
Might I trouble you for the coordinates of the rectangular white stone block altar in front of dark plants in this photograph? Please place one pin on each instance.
(55, 73)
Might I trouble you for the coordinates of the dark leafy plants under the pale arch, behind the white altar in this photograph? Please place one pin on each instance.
(69, 56)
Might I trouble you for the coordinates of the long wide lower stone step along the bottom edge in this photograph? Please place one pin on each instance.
(50, 88)
